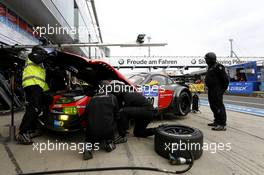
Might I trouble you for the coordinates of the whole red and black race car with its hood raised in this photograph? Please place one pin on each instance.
(66, 113)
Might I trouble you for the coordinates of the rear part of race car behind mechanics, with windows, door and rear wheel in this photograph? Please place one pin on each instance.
(164, 93)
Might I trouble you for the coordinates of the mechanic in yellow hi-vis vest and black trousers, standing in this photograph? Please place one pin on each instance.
(34, 84)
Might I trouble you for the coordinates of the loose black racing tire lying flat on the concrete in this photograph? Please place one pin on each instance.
(178, 138)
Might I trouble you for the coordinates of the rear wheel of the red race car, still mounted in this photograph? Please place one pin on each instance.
(184, 103)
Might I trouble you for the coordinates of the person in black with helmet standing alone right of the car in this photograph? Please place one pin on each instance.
(217, 82)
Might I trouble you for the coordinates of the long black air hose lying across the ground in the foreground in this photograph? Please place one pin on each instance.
(190, 164)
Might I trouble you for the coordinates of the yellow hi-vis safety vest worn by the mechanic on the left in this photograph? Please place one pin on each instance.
(34, 74)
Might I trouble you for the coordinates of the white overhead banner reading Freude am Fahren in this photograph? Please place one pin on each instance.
(174, 61)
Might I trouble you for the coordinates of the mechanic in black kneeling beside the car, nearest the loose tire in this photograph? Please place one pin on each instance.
(135, 106)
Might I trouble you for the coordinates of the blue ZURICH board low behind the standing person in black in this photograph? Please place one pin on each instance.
(241, 87)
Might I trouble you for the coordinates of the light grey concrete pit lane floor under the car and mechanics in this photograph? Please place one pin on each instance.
(245, 133)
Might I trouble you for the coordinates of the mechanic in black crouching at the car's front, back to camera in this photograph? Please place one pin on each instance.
(101, 115)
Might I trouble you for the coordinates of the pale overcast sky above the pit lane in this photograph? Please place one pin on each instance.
(190, 27)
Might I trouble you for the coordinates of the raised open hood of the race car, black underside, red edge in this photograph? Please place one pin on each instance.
(90, 71)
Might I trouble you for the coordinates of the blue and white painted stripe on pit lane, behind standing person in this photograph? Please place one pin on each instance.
(242, 109)
